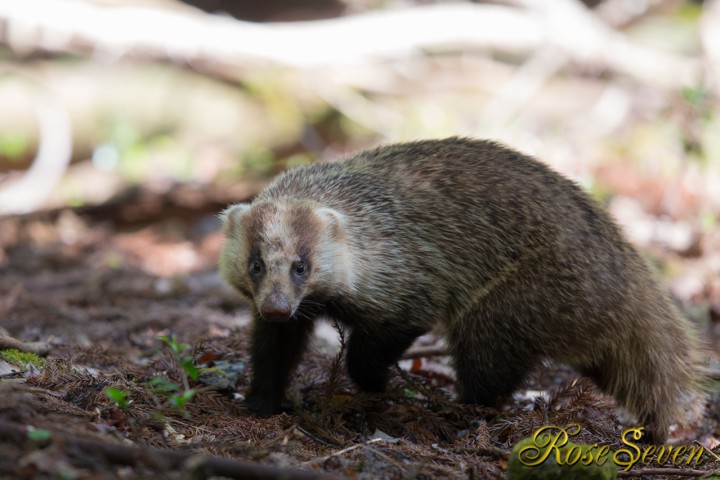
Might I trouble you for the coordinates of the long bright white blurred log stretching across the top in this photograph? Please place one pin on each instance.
(225, 46)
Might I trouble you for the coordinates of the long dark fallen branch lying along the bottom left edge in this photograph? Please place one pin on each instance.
(164, 460)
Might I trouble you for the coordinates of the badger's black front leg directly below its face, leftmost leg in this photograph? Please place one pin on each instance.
(275, 352)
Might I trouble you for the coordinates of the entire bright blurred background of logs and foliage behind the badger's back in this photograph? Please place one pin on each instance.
(621, 96)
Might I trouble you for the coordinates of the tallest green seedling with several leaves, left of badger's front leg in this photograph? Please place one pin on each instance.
(177, 396)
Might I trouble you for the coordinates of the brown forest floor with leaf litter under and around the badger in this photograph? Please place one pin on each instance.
(101, 285)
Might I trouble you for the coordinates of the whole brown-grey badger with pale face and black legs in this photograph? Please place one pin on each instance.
(517, 262)
